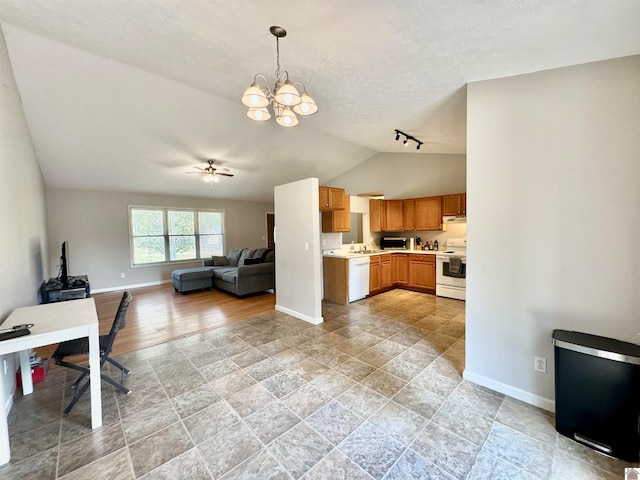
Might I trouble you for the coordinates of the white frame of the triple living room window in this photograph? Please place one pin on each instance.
(167, 236)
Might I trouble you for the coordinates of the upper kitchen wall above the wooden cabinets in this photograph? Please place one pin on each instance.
(406, 175)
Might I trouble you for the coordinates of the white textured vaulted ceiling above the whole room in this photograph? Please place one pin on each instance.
(129, 94)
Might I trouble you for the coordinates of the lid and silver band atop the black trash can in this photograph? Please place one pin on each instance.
(597, 346)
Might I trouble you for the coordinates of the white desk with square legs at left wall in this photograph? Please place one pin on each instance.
(52, 323)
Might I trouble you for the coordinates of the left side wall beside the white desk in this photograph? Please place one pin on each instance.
(23, 242)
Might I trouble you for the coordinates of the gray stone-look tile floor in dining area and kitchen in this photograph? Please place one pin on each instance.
(374, 392)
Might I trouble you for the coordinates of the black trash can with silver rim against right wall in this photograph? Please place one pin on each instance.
(598, 392)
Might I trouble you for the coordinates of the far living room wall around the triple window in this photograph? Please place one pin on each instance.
(95, 225)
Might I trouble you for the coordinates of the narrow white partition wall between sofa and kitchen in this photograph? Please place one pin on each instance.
(298, 254)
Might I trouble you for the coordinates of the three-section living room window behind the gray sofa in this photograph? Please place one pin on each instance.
(164, 235)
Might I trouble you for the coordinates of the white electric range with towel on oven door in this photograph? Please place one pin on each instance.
(451, 270)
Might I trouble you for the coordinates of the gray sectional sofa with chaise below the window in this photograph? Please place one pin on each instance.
(242, 272)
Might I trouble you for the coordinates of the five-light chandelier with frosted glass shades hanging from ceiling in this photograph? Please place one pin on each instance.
(285, 99)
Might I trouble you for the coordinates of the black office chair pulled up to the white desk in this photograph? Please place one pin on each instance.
(80, 346)
